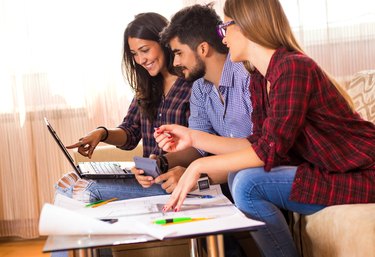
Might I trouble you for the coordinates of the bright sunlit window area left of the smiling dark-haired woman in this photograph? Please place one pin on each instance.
(60, 52)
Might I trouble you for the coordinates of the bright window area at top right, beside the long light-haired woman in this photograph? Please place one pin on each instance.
(315, 16)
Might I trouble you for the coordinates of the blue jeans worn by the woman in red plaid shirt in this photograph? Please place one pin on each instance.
(261, 195)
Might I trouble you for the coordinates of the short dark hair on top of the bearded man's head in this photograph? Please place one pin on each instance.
(193, 25)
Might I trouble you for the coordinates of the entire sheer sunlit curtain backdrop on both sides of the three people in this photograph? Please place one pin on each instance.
(62, 60)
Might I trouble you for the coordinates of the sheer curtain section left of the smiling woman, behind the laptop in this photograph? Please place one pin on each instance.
(62, 60)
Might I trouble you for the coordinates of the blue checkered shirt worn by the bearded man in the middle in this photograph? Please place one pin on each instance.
(231, 118)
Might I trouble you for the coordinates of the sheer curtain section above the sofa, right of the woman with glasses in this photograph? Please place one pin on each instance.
(338, 34)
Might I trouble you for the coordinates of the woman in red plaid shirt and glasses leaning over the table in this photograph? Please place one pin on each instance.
(309, 150)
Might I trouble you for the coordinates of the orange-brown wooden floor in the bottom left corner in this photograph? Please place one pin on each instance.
(18, 248)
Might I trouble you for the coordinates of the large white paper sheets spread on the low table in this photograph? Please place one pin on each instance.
(137, 216)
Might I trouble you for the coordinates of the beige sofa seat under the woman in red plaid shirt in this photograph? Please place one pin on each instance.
(342, 231)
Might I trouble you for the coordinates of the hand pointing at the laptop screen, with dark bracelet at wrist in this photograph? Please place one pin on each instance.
(87, 144)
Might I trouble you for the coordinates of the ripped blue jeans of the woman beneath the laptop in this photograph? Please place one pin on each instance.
(94, 190)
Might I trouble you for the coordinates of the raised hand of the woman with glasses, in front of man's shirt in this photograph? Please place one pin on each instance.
(172, 138)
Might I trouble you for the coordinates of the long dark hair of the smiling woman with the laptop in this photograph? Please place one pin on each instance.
(148, 89)
